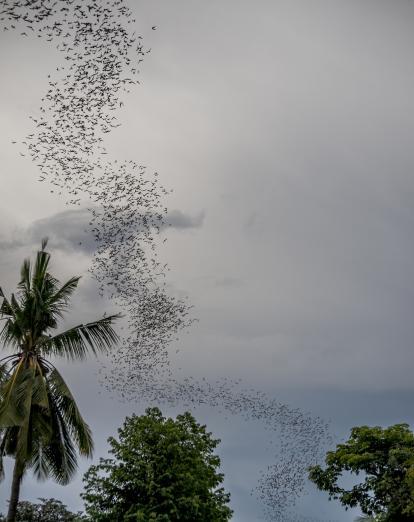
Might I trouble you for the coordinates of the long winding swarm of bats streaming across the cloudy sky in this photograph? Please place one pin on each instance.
(101, 55)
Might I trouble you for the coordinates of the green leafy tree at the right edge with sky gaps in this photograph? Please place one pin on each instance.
(385, 458)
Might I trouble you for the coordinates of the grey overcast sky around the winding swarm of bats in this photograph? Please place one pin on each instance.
(284, 129)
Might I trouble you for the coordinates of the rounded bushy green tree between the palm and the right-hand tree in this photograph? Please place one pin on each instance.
(164, 470)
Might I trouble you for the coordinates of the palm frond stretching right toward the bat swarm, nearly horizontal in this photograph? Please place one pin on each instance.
(76, 342)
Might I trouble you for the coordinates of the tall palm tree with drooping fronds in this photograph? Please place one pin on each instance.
(40, 423)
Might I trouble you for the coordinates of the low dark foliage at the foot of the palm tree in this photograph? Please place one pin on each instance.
(48, 510)
